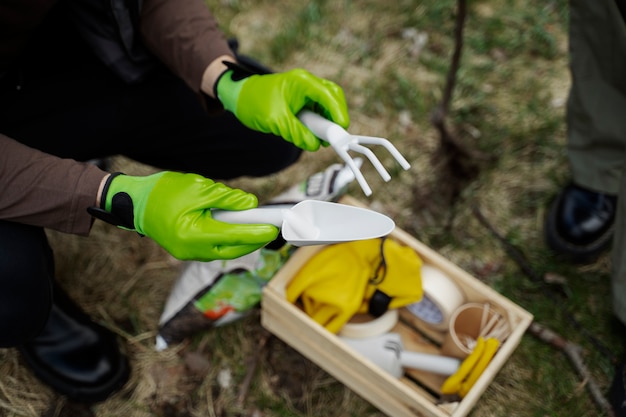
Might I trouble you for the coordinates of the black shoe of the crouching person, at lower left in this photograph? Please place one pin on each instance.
(76, 356)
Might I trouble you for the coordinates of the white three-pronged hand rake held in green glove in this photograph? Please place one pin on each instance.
(342, 142)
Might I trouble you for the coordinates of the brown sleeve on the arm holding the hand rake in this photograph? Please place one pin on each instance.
(184, 35)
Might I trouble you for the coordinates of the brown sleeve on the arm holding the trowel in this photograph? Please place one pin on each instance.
(43, 190)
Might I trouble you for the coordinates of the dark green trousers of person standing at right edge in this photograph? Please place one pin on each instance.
(596, 116)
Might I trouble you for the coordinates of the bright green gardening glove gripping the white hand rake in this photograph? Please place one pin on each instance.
(270, 103)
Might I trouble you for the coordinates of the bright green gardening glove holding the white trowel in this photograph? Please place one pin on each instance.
(174, 210)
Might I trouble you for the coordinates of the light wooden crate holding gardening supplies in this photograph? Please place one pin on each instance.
(409, 396)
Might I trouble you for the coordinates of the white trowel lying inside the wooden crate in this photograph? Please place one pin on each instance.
(387, 351)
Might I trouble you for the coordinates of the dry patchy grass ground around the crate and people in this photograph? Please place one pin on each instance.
(391, 58)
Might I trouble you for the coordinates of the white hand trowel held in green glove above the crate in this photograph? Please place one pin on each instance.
(314, 222)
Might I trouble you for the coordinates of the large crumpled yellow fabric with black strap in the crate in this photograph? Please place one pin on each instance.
(335, 284)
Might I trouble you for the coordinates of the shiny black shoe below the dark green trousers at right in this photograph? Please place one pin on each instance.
(579, 225)
